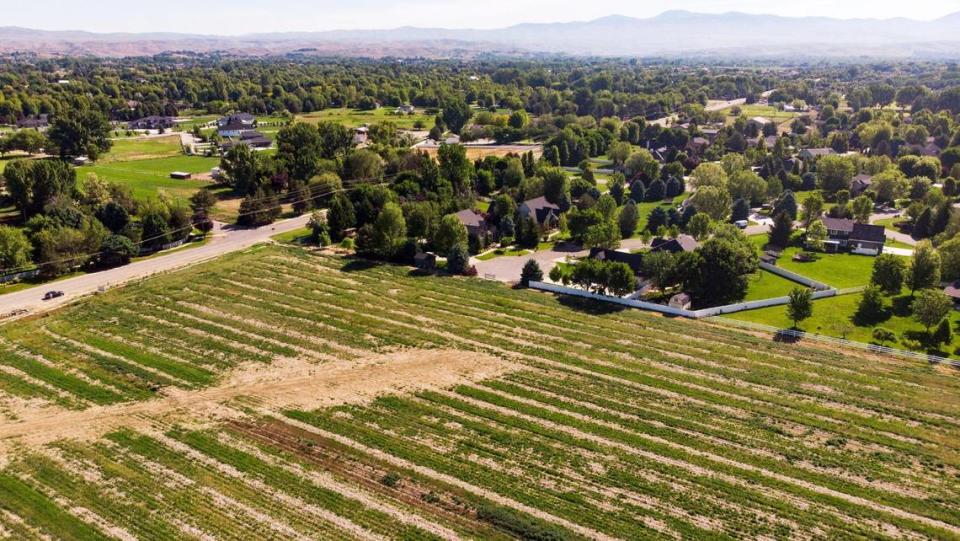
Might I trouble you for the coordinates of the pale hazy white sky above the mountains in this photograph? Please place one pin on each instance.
(245, 16)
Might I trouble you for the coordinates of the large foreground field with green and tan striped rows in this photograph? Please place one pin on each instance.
(280, 393)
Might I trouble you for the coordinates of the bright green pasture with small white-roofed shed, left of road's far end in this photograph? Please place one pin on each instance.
(150, 178)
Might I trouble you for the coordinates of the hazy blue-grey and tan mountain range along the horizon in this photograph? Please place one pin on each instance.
(673, 33)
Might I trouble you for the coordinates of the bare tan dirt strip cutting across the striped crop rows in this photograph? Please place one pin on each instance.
(287, 383)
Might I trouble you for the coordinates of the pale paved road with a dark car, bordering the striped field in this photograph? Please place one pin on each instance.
(225, 240)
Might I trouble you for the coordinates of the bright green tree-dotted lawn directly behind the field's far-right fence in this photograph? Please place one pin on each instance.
(833, 316)
